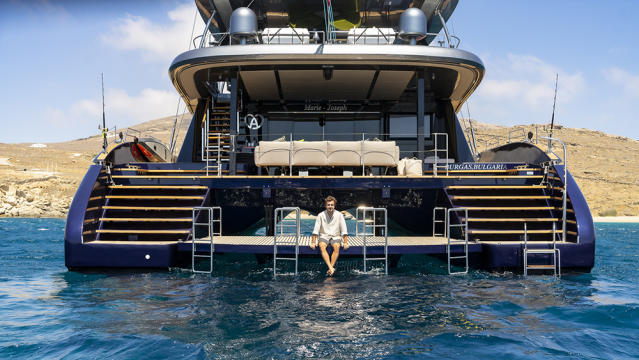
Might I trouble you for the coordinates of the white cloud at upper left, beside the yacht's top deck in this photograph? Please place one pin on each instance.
(156, 41)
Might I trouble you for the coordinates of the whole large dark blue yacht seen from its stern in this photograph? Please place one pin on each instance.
(295, 100)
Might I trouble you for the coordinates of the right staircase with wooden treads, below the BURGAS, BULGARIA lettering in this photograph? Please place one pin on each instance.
(499, 212)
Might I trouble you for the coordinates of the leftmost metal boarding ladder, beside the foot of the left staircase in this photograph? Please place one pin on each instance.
(213, 228)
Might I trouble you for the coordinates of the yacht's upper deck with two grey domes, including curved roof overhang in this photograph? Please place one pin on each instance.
(277, 49)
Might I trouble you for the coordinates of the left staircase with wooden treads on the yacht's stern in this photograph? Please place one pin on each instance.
(149, 212)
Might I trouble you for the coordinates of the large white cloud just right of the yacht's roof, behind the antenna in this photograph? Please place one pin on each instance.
(519, 89)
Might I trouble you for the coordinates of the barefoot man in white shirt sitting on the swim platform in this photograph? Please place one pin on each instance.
(331, 228)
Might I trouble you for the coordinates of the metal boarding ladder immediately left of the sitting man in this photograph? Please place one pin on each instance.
(286, 233)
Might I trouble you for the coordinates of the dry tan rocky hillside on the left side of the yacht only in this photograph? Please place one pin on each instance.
(39, 180)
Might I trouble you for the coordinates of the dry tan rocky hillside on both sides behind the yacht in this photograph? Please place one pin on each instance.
(39, 180)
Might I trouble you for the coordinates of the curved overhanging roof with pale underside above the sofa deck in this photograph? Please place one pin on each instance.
(294, 72)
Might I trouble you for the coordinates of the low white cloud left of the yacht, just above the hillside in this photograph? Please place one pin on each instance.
(121, 109)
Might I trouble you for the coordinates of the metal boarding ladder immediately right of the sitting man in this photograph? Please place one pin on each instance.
(366, 218)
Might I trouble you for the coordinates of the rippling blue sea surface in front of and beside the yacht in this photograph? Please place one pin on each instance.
(242, 312)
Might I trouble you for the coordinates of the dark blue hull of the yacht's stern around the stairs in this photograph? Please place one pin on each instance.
(247, 200)
